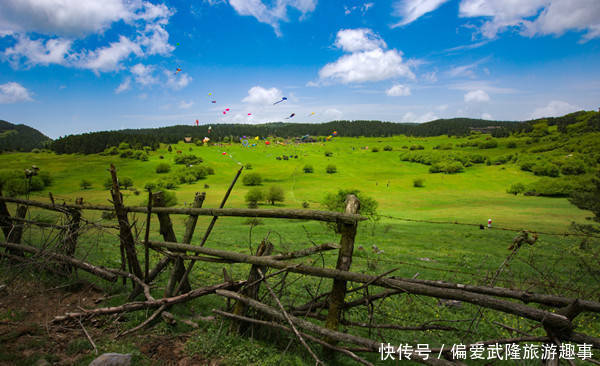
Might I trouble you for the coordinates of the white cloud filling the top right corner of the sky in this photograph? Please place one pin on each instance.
(535, 17)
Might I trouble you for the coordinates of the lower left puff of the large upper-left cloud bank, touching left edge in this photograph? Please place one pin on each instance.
(38, 52)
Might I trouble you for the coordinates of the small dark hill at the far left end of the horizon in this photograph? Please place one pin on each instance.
(20, 137)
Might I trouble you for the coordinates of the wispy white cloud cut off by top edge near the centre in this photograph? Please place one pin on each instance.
(274, 14)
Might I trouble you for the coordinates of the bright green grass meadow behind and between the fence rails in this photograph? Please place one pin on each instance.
(462, 253)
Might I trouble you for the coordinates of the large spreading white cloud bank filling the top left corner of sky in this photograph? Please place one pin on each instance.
(57, 23)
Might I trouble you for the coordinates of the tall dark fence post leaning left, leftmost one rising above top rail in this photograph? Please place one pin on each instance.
(125, 236)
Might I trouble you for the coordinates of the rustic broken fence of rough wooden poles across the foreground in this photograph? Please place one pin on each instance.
(555, 315)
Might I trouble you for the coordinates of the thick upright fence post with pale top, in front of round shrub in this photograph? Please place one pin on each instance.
(338, 291)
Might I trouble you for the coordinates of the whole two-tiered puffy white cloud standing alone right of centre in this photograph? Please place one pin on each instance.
(368, 60)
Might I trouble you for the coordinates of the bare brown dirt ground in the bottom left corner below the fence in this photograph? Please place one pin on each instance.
(26, 334)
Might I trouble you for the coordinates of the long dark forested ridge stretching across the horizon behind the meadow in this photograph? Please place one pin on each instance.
(96, 142)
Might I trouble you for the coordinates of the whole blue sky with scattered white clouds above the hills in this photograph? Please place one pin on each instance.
(72, 66)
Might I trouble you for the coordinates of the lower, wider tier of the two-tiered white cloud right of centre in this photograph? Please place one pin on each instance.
(375, 65)
